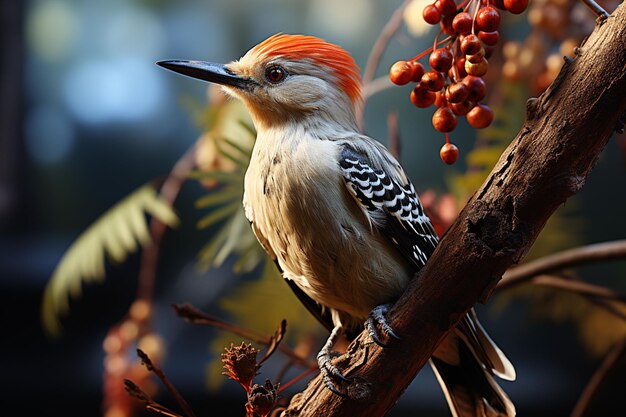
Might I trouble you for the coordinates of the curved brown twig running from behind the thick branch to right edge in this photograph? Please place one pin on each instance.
(578, 256)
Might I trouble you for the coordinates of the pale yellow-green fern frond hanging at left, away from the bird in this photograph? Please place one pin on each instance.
(116, 234)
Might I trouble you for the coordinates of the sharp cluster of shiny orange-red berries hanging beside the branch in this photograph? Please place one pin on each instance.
(454, 84)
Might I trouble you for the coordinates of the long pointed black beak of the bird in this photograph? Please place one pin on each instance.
(207, 71)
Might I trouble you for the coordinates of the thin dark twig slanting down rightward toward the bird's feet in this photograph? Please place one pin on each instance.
(193, 315)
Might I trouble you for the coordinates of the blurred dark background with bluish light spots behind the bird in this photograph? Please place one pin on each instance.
(87, 118)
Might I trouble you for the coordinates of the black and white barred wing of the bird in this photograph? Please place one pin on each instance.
(391, 207)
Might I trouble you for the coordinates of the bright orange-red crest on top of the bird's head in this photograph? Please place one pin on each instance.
(331, 56)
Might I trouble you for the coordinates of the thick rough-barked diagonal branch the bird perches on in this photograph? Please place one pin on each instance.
(565, 131)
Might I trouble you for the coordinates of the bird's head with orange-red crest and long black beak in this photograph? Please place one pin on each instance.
(287, 78)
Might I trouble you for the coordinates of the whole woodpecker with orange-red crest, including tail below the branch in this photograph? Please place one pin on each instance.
(338, 214)
